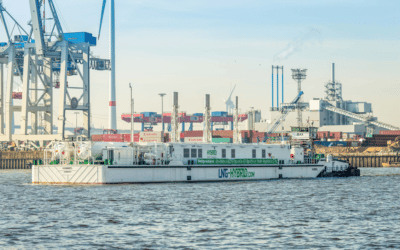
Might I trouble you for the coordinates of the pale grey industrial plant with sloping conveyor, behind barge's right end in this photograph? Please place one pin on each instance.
(330, 113)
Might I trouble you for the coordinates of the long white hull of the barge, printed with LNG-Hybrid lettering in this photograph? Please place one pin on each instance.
(103, 174)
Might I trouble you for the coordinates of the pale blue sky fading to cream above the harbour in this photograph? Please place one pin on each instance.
(207, 47)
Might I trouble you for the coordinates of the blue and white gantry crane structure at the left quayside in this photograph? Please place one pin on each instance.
(42, 65)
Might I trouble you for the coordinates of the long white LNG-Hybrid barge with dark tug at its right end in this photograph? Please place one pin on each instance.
(89, 163)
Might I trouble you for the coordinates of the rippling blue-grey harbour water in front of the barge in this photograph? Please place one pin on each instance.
(349, 213)
